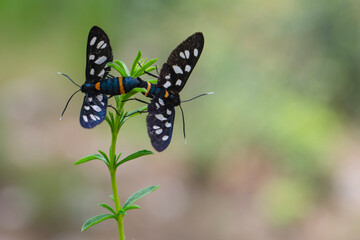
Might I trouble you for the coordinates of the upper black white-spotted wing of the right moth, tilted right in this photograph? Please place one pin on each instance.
(182, 60)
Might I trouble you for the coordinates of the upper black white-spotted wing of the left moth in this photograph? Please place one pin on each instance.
(98, 54)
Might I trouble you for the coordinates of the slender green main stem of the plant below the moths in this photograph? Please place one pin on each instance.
(112, 168)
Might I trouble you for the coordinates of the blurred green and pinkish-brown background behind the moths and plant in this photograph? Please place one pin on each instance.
(274, 154)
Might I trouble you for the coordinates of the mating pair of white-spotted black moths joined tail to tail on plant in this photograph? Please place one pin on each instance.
(164, 95)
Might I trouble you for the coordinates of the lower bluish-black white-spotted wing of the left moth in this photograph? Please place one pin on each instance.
(93, 110)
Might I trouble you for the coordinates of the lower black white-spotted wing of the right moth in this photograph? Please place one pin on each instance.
(160, 122)
